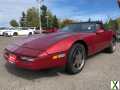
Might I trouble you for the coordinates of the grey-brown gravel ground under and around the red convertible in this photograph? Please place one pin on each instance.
(99, 70)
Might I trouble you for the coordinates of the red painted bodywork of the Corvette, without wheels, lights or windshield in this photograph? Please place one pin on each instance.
(42, 48)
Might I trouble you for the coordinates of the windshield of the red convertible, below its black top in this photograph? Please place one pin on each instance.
(80, 27)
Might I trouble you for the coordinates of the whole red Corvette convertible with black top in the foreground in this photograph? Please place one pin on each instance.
(67, 47)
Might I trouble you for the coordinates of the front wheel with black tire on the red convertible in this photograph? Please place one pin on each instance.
(76, 59)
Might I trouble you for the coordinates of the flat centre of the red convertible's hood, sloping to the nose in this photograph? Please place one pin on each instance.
(43, 41)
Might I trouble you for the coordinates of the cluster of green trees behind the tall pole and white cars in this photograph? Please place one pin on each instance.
(48, 20)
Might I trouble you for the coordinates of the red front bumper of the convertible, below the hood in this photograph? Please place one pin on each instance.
(39, 63)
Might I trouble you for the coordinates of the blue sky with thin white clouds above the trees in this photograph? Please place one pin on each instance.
(73, 9)
